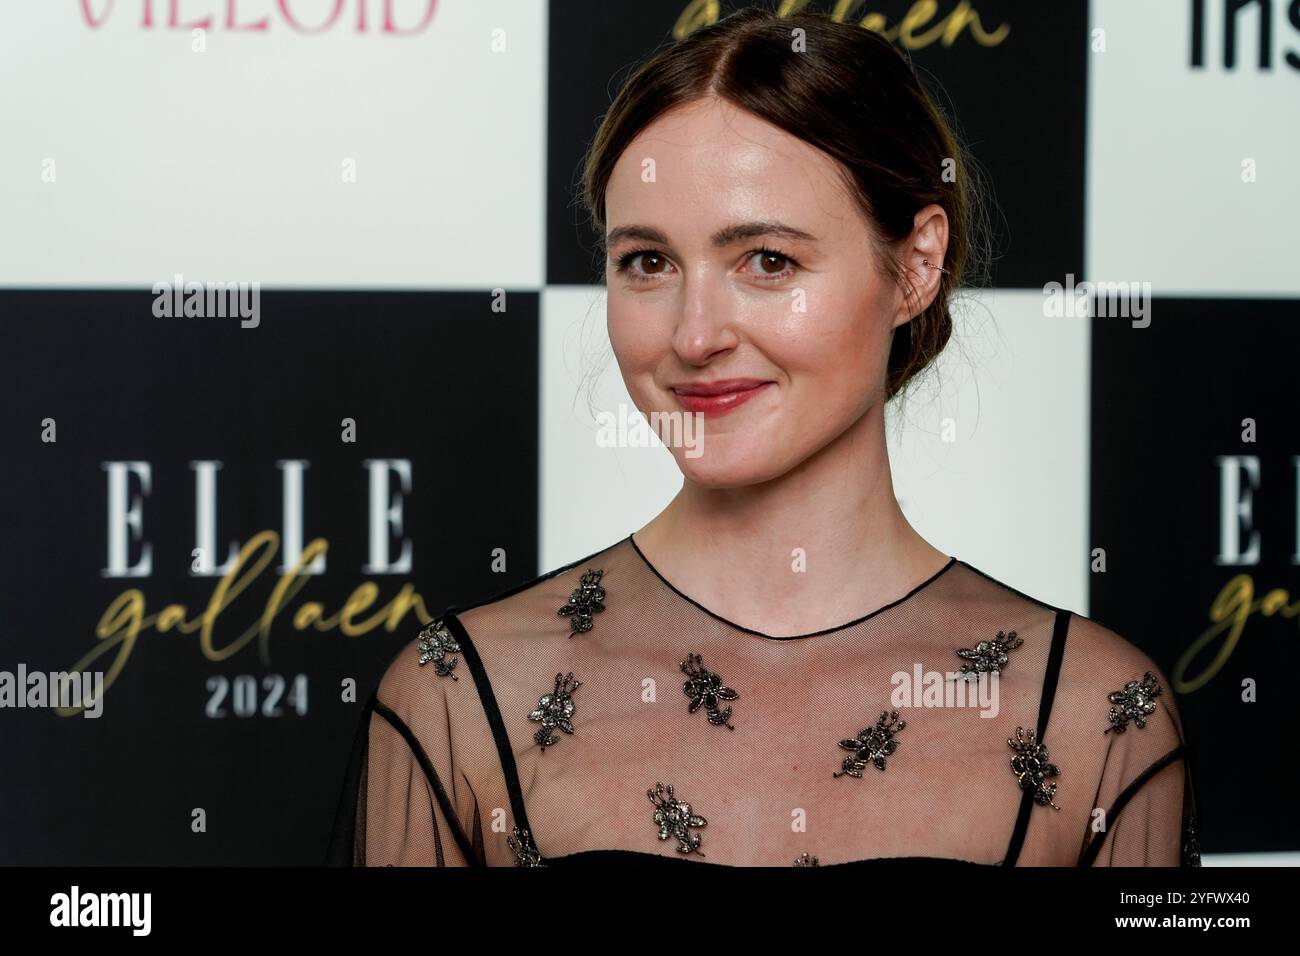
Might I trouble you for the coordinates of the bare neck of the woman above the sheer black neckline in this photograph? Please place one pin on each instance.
(740, 551)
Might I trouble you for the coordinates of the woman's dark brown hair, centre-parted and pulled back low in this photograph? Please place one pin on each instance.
(853, 96)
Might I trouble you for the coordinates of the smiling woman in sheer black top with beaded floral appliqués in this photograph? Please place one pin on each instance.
(778, 669)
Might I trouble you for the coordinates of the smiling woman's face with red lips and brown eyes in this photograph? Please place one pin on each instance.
(695, 301)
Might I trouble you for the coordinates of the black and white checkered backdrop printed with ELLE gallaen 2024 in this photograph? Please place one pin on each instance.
(229, 521)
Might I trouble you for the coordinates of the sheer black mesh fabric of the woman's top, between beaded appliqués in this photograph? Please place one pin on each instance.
(447, 771)
